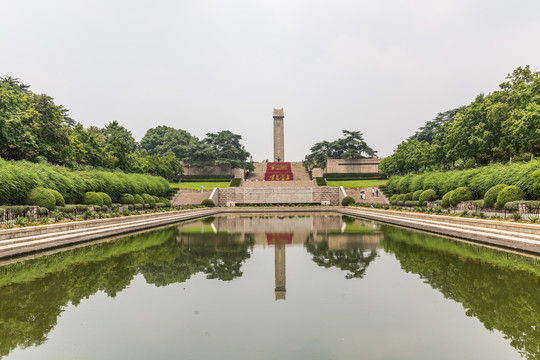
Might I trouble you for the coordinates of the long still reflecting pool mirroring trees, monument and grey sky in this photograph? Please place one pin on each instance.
(272, 287)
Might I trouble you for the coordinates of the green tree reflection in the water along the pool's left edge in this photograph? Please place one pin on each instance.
(34, 293)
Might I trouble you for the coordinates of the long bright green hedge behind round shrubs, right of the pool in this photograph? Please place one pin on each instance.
(479, 180)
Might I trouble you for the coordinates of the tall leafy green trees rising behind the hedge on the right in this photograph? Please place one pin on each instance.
(501, 126)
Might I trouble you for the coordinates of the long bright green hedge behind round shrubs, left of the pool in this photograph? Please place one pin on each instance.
(19, 178)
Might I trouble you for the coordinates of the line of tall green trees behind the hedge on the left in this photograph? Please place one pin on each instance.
(34, 128)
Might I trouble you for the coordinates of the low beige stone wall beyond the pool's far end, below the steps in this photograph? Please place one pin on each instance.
(279, 195)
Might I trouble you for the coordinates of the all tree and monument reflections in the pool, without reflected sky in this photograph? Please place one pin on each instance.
(501, 290)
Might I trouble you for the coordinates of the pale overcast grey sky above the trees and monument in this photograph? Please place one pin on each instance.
(384, 68)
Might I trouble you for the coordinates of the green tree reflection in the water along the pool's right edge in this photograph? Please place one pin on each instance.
(501, 290)
